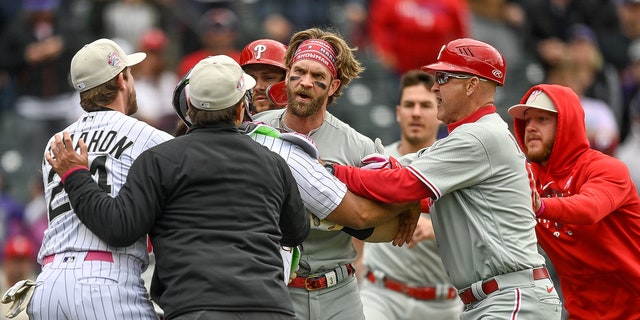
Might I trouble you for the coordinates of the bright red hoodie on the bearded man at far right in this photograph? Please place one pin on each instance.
(590, 227)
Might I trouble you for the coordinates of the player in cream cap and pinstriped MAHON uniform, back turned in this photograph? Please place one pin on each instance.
(82, 276)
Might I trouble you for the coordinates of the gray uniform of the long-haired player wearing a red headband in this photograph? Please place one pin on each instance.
(323, 251)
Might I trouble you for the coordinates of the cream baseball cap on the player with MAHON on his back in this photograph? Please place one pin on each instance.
(100, 61)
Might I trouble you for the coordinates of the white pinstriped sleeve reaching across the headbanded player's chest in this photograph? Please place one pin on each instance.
(321, 192)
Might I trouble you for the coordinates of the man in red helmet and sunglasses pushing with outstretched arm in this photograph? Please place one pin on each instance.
(482, 215)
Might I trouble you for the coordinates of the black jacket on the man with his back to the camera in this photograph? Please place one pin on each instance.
(217, 206)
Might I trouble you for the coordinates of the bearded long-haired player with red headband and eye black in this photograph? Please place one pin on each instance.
(320, 64)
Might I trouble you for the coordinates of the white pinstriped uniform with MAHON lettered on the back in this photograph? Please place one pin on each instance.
(69, 287)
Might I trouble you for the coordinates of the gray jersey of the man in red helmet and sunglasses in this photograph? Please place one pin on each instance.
(483, 218)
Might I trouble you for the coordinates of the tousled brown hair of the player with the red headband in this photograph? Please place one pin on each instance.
(348, 67)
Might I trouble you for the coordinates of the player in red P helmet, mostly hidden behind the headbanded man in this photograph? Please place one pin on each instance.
(263, 59)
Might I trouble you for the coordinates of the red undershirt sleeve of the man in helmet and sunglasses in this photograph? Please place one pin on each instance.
(384, 185)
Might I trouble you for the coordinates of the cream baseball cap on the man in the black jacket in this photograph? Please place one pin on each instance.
(217, 83)
